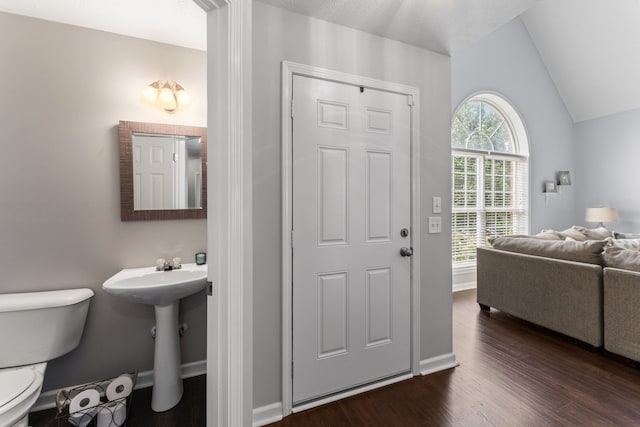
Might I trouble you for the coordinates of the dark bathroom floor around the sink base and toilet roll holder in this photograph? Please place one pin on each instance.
(190, 412)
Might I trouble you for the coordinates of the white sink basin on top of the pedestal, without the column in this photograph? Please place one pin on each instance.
(148, 286)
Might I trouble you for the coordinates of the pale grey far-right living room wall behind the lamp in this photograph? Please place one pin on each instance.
(607, 173)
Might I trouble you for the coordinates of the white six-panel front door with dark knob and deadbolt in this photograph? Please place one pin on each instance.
(351, 201)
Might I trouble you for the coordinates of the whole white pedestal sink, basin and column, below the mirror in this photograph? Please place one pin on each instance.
(163, 290)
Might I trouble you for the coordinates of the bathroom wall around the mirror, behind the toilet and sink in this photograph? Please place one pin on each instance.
(65, 89)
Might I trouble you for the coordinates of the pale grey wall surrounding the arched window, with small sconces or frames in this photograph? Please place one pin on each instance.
(507, 62)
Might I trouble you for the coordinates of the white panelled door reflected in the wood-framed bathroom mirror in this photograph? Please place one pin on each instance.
(153, 172)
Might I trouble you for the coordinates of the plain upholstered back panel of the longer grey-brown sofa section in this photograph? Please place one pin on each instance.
(564, 296)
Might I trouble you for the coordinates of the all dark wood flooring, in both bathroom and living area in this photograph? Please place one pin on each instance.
(511, 374)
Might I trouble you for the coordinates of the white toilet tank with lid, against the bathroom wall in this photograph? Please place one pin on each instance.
(39, 326)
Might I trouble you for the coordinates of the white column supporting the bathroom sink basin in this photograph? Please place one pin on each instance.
(167, 382)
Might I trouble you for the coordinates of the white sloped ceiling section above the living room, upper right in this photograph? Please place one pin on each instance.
(592, 51)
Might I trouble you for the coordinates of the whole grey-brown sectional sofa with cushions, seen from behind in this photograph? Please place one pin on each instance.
(593, 295)
